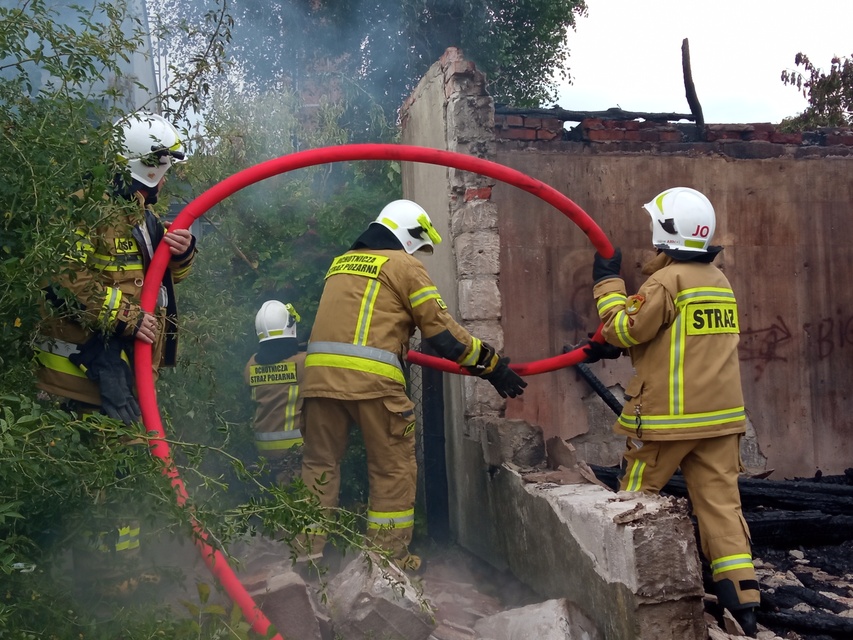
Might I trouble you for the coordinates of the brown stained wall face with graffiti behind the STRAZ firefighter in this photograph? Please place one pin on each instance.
(782, 220)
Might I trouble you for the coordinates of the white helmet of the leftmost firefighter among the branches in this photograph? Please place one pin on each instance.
(151, 144)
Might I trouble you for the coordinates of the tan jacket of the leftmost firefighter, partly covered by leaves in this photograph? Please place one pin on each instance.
(106, 274)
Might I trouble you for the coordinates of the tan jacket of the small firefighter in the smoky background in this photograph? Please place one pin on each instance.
(278, 414)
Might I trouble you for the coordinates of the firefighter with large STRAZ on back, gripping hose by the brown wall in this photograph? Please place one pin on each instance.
(684, 404)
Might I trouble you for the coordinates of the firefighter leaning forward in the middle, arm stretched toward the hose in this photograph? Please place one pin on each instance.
(375, 296)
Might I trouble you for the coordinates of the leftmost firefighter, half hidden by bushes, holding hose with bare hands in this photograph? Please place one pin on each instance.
(85, 355)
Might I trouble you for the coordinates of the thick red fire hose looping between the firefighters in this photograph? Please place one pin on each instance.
(214, 559)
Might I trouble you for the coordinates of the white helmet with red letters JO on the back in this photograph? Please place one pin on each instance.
(682, 218)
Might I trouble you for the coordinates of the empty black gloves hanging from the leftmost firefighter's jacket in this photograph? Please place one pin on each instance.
(101, 361)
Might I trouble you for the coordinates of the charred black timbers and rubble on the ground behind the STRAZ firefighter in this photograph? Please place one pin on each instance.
(802, 534)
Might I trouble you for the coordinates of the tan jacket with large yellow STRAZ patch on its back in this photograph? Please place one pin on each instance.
(682, 332)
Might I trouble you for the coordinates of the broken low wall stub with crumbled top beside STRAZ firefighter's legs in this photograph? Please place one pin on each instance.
(629, 561)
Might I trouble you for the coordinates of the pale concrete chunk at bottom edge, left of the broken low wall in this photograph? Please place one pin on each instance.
(549, 620)
